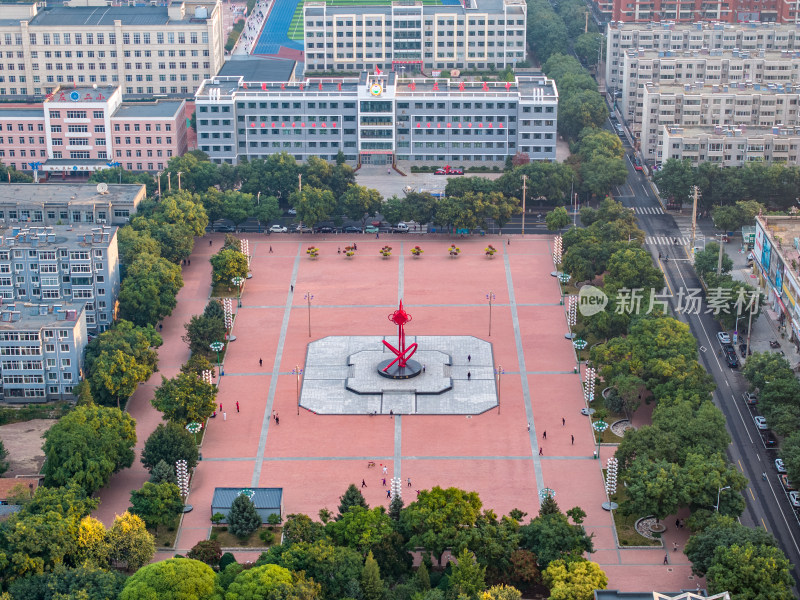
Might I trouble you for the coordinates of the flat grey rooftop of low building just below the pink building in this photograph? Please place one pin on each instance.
(61, 194)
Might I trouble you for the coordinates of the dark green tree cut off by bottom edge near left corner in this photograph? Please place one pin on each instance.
(88, 583)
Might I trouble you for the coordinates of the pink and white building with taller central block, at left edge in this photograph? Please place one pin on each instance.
(82, 129)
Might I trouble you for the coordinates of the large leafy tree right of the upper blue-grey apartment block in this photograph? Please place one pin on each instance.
(149, 291)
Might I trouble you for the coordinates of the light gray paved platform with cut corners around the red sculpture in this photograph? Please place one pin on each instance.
(341, 377)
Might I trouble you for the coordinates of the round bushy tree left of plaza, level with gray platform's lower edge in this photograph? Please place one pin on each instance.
(185, 399)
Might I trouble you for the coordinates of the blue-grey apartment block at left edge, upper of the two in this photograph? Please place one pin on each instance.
(56, 264)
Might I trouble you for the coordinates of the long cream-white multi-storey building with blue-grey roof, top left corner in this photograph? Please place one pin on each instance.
(146, 50)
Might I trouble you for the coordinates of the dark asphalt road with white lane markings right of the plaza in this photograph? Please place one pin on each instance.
(766, 501)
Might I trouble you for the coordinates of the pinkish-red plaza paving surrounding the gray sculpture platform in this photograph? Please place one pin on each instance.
(315, 457)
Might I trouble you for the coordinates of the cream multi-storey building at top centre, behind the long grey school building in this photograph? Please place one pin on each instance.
(412, 36)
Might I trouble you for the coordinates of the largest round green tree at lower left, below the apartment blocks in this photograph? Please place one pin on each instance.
(87, 446)
